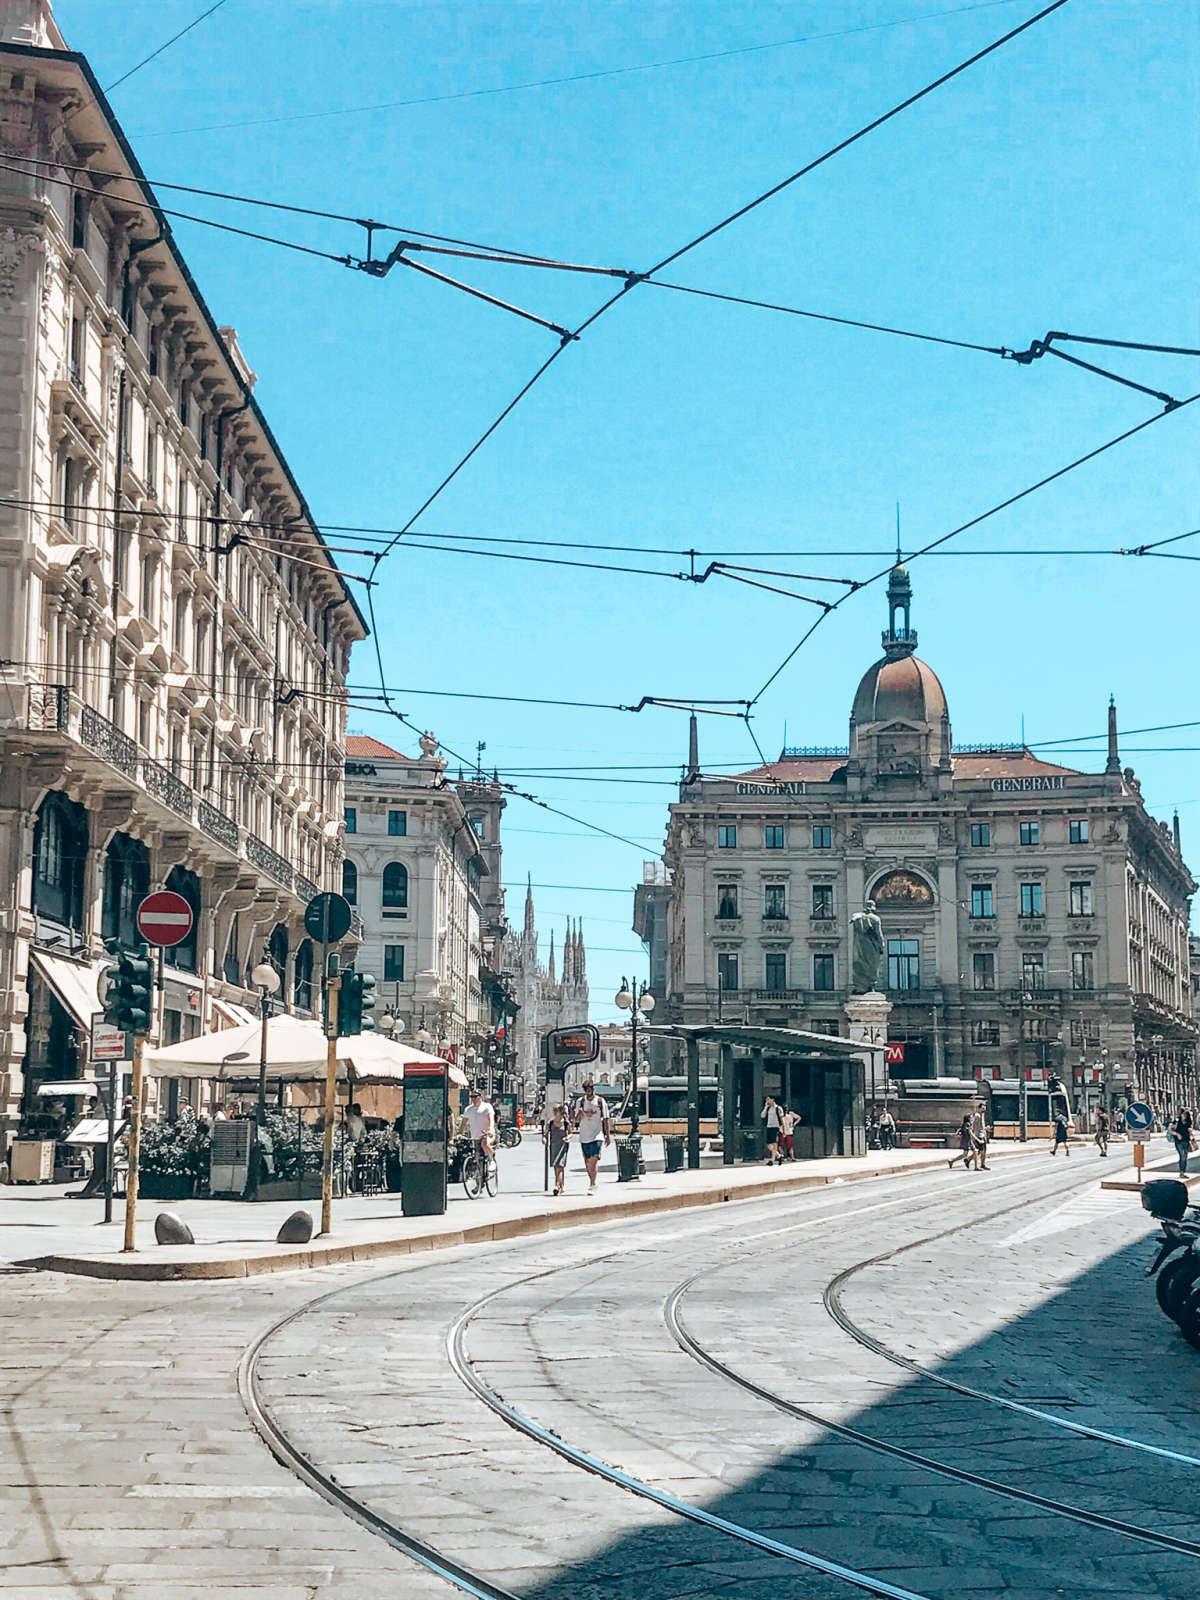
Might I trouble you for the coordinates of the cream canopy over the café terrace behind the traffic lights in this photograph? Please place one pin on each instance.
(295, 1054)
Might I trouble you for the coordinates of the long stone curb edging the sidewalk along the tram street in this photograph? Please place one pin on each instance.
(303, 1258)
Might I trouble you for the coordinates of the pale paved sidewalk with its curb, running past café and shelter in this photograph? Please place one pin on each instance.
(41, 1226)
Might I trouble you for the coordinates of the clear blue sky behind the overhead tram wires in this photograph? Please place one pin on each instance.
(1054, 186)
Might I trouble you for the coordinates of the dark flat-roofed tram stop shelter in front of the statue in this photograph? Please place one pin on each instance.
(820, 1076)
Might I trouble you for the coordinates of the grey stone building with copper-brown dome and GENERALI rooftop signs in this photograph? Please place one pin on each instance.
(1034, 916)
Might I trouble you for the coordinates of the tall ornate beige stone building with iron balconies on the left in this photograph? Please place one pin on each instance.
(174, 633)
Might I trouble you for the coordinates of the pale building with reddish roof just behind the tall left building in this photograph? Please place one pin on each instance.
(415, 870)
